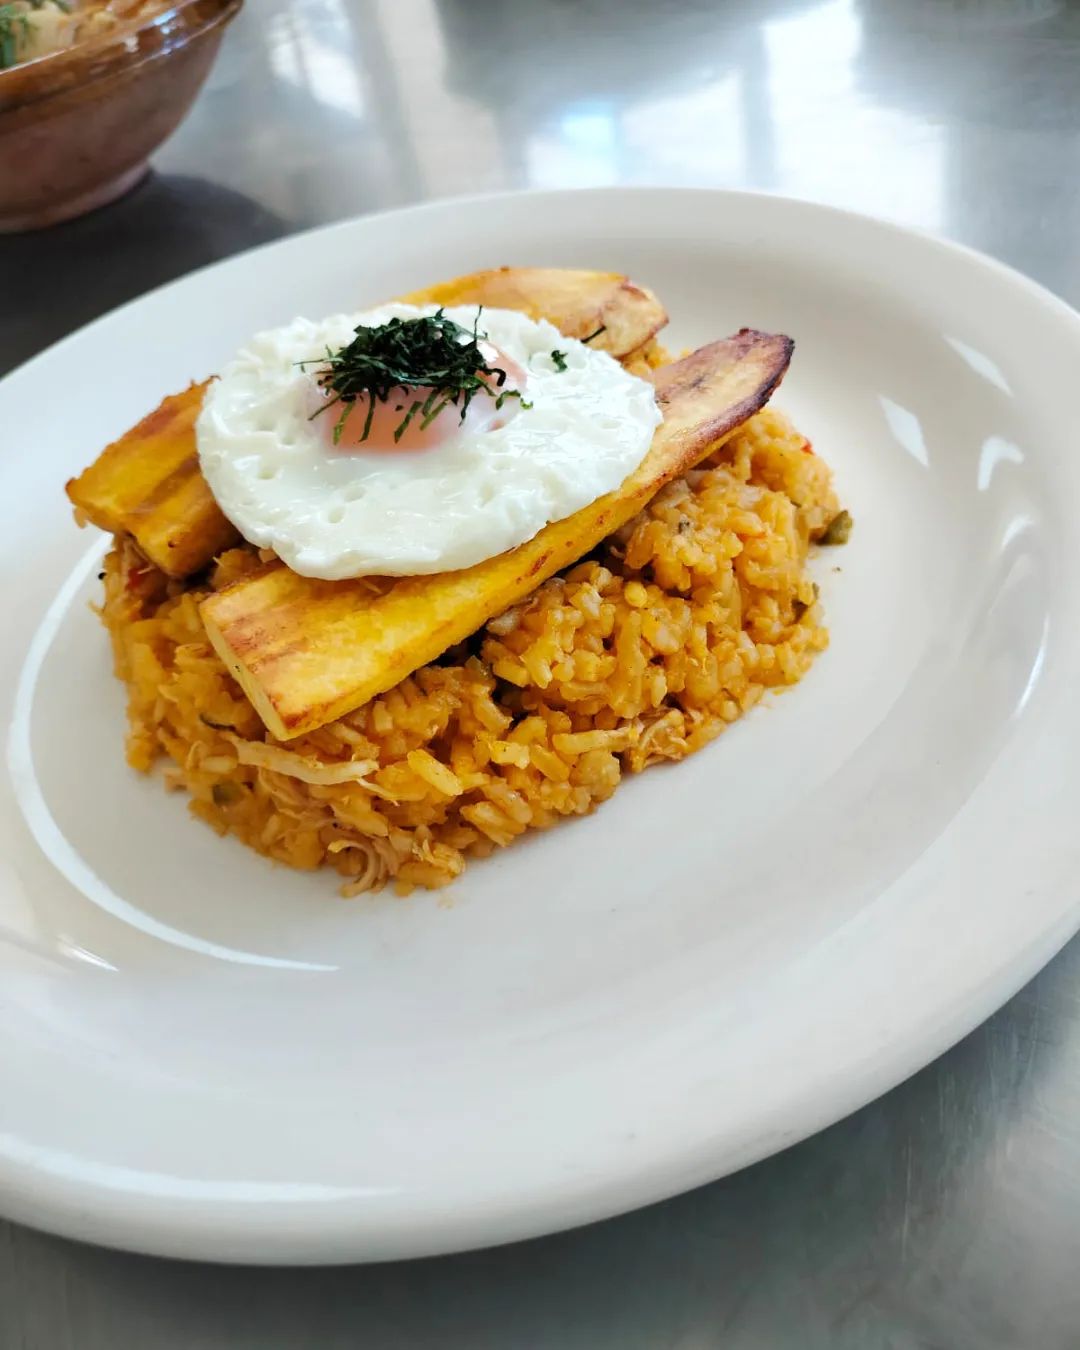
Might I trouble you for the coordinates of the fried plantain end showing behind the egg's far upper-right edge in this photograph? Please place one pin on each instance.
(578, 303)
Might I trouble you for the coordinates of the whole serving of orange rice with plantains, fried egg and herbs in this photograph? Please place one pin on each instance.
(403, 585)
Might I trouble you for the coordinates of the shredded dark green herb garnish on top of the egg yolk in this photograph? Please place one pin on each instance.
(431, 353)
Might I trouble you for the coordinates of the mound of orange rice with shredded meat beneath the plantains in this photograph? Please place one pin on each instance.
(668, 632)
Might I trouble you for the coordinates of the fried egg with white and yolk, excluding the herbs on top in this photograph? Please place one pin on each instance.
(572, 427)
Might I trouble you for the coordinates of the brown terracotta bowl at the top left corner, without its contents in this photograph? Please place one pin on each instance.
(78, 126)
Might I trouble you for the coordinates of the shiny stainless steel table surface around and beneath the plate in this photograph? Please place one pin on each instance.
(946, 1216)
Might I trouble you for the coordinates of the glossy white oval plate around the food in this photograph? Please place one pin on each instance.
(207, 1056)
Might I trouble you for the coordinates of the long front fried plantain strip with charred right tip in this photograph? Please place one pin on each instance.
(307, 651)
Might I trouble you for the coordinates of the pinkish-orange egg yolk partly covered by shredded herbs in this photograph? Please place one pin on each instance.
(345, 435)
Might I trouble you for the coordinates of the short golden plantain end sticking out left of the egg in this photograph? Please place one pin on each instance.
(149, 485)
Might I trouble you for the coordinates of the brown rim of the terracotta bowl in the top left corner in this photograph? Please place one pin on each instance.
(122, 51)
